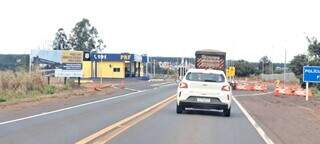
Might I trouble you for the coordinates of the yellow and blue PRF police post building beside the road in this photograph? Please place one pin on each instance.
(114, 65)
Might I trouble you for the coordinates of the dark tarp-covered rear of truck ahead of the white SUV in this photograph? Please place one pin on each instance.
(210, 59)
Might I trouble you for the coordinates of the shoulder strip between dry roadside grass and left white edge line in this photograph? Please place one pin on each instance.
(29, 107)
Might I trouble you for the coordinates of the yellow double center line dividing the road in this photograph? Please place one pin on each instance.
(108, 133)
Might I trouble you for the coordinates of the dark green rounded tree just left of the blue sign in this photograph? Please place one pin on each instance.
(296, 65)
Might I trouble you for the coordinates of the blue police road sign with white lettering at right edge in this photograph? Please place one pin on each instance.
(311, 74)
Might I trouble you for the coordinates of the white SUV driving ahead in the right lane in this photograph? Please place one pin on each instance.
(204, 89)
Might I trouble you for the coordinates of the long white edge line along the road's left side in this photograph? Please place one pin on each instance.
(68, 108)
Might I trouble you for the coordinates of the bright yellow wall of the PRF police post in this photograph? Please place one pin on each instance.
(105, 69)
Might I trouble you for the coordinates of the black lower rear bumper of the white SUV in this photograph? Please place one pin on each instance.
(200, 105)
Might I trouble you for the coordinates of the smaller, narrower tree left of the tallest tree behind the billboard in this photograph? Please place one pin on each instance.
(60, 41)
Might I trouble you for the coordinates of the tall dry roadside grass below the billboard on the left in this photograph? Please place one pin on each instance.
(19, 86)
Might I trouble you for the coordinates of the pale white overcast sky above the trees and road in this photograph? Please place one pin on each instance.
(246, 29)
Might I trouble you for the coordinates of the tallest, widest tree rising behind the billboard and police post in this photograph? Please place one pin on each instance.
(84, 37)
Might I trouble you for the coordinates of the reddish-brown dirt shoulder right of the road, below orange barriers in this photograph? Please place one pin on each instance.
(286, 119)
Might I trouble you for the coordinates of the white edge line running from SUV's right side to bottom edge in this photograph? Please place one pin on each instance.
(264, 136)
